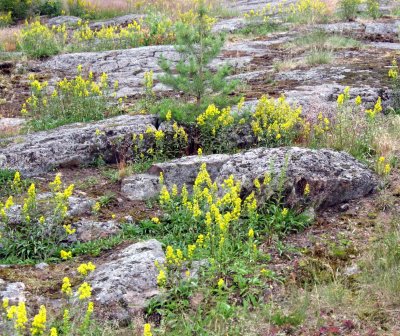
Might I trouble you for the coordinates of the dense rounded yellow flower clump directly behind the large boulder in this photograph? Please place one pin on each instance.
(275, 120)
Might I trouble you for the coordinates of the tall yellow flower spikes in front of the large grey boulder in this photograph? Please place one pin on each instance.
(217, 212)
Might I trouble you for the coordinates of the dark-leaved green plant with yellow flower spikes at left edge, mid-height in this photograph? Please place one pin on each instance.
(37, 231)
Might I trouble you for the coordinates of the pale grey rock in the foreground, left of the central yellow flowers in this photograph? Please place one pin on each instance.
(123, 285)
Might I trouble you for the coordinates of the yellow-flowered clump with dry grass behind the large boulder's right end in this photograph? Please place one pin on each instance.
(367, 134)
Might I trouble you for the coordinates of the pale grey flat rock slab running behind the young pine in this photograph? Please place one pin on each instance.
(128, 66)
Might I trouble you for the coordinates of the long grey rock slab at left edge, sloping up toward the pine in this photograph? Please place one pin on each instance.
(70, 145)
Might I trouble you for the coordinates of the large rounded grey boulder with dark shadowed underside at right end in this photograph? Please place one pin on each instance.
(333, 177)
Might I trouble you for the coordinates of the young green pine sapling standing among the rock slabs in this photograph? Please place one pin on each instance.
(197, 47)
